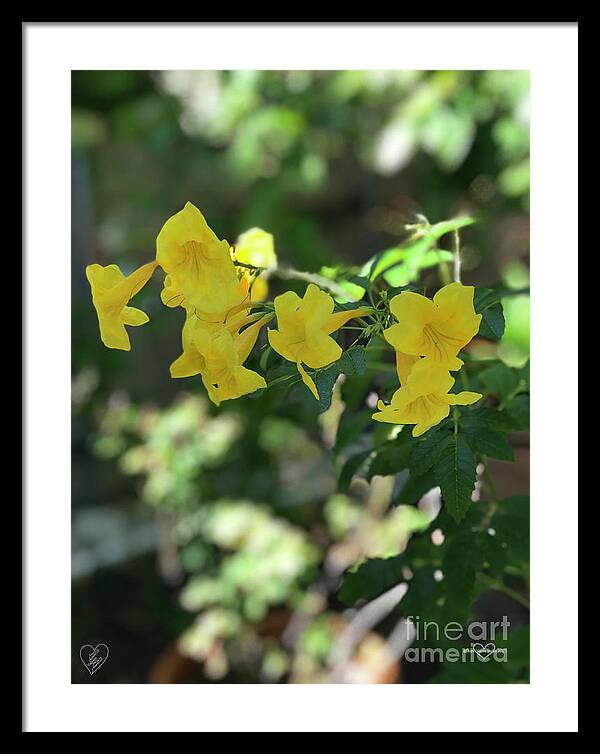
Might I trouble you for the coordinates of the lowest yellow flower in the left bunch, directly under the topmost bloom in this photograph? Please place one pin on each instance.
(218, 357)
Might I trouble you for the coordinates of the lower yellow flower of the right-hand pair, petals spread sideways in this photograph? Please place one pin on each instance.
(424, 400)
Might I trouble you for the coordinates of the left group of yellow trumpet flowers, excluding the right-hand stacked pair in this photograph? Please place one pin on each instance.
(218, 287)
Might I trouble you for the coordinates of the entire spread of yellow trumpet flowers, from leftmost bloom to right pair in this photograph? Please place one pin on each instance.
(219, 287)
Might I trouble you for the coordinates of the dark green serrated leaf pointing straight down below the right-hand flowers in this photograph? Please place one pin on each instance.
(455, 474)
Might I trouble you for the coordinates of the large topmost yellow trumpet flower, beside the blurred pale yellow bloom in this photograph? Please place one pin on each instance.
(201, 274)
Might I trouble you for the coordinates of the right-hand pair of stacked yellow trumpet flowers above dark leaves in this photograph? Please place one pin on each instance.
(427, 338)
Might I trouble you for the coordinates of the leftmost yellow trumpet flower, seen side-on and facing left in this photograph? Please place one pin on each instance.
(111, 292)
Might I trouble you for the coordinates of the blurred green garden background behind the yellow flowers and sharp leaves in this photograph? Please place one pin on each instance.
(202, 538)
